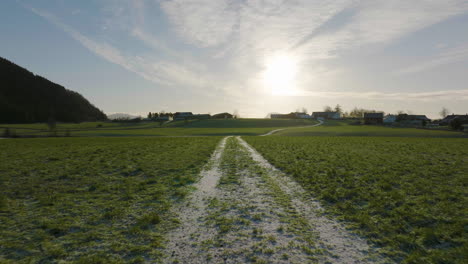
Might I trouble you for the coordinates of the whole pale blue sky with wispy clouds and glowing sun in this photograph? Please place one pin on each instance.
(251, 56)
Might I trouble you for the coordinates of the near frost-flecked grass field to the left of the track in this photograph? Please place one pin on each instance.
(93, 200)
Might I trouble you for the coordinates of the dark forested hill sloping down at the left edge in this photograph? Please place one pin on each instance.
(25, 98)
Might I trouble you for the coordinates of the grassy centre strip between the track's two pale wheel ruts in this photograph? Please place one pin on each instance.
(251, 226)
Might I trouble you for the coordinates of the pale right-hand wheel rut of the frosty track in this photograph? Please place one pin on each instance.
(343, 246)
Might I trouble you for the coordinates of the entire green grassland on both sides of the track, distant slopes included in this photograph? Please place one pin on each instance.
(96, 197)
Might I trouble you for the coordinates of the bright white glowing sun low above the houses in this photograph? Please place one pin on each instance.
(279, 76)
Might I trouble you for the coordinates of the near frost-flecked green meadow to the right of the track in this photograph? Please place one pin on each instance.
(407, 195)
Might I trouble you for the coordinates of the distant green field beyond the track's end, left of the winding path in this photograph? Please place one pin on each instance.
(211, 127)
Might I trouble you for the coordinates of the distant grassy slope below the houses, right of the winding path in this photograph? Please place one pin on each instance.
(337, 128)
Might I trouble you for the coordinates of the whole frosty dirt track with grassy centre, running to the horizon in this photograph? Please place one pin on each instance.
(246, 211)
